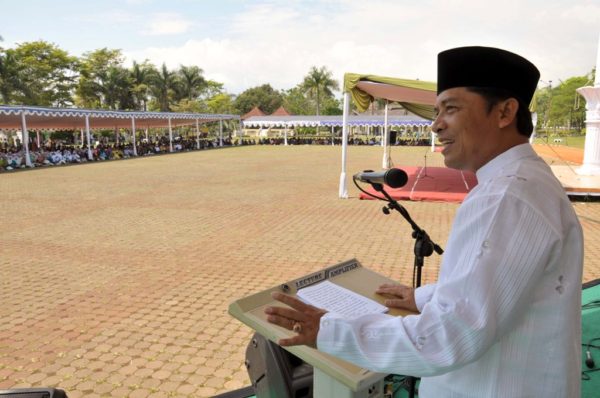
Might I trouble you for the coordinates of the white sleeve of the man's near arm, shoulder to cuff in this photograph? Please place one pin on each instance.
(498, 248)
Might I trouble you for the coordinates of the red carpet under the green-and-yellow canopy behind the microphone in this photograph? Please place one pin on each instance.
(432, 183)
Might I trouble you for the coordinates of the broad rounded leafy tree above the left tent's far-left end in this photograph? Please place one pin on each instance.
(46, 74)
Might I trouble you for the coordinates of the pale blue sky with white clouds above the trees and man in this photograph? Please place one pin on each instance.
(244, 44)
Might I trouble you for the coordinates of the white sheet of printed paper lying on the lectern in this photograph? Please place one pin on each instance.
(339, 300)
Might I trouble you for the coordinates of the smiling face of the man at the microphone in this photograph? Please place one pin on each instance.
(465, 129)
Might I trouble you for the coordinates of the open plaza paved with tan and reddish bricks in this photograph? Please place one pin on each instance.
(115, 277)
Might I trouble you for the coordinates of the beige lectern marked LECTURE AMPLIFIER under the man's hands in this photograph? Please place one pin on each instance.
(333, 377)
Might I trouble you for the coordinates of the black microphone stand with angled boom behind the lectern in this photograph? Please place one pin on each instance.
(424, 247)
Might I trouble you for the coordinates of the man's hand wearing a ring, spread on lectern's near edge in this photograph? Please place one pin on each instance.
(302, 318)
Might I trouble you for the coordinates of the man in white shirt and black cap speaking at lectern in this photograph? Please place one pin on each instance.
(504, 318)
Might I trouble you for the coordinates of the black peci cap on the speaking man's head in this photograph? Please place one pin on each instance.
(487, 67)
